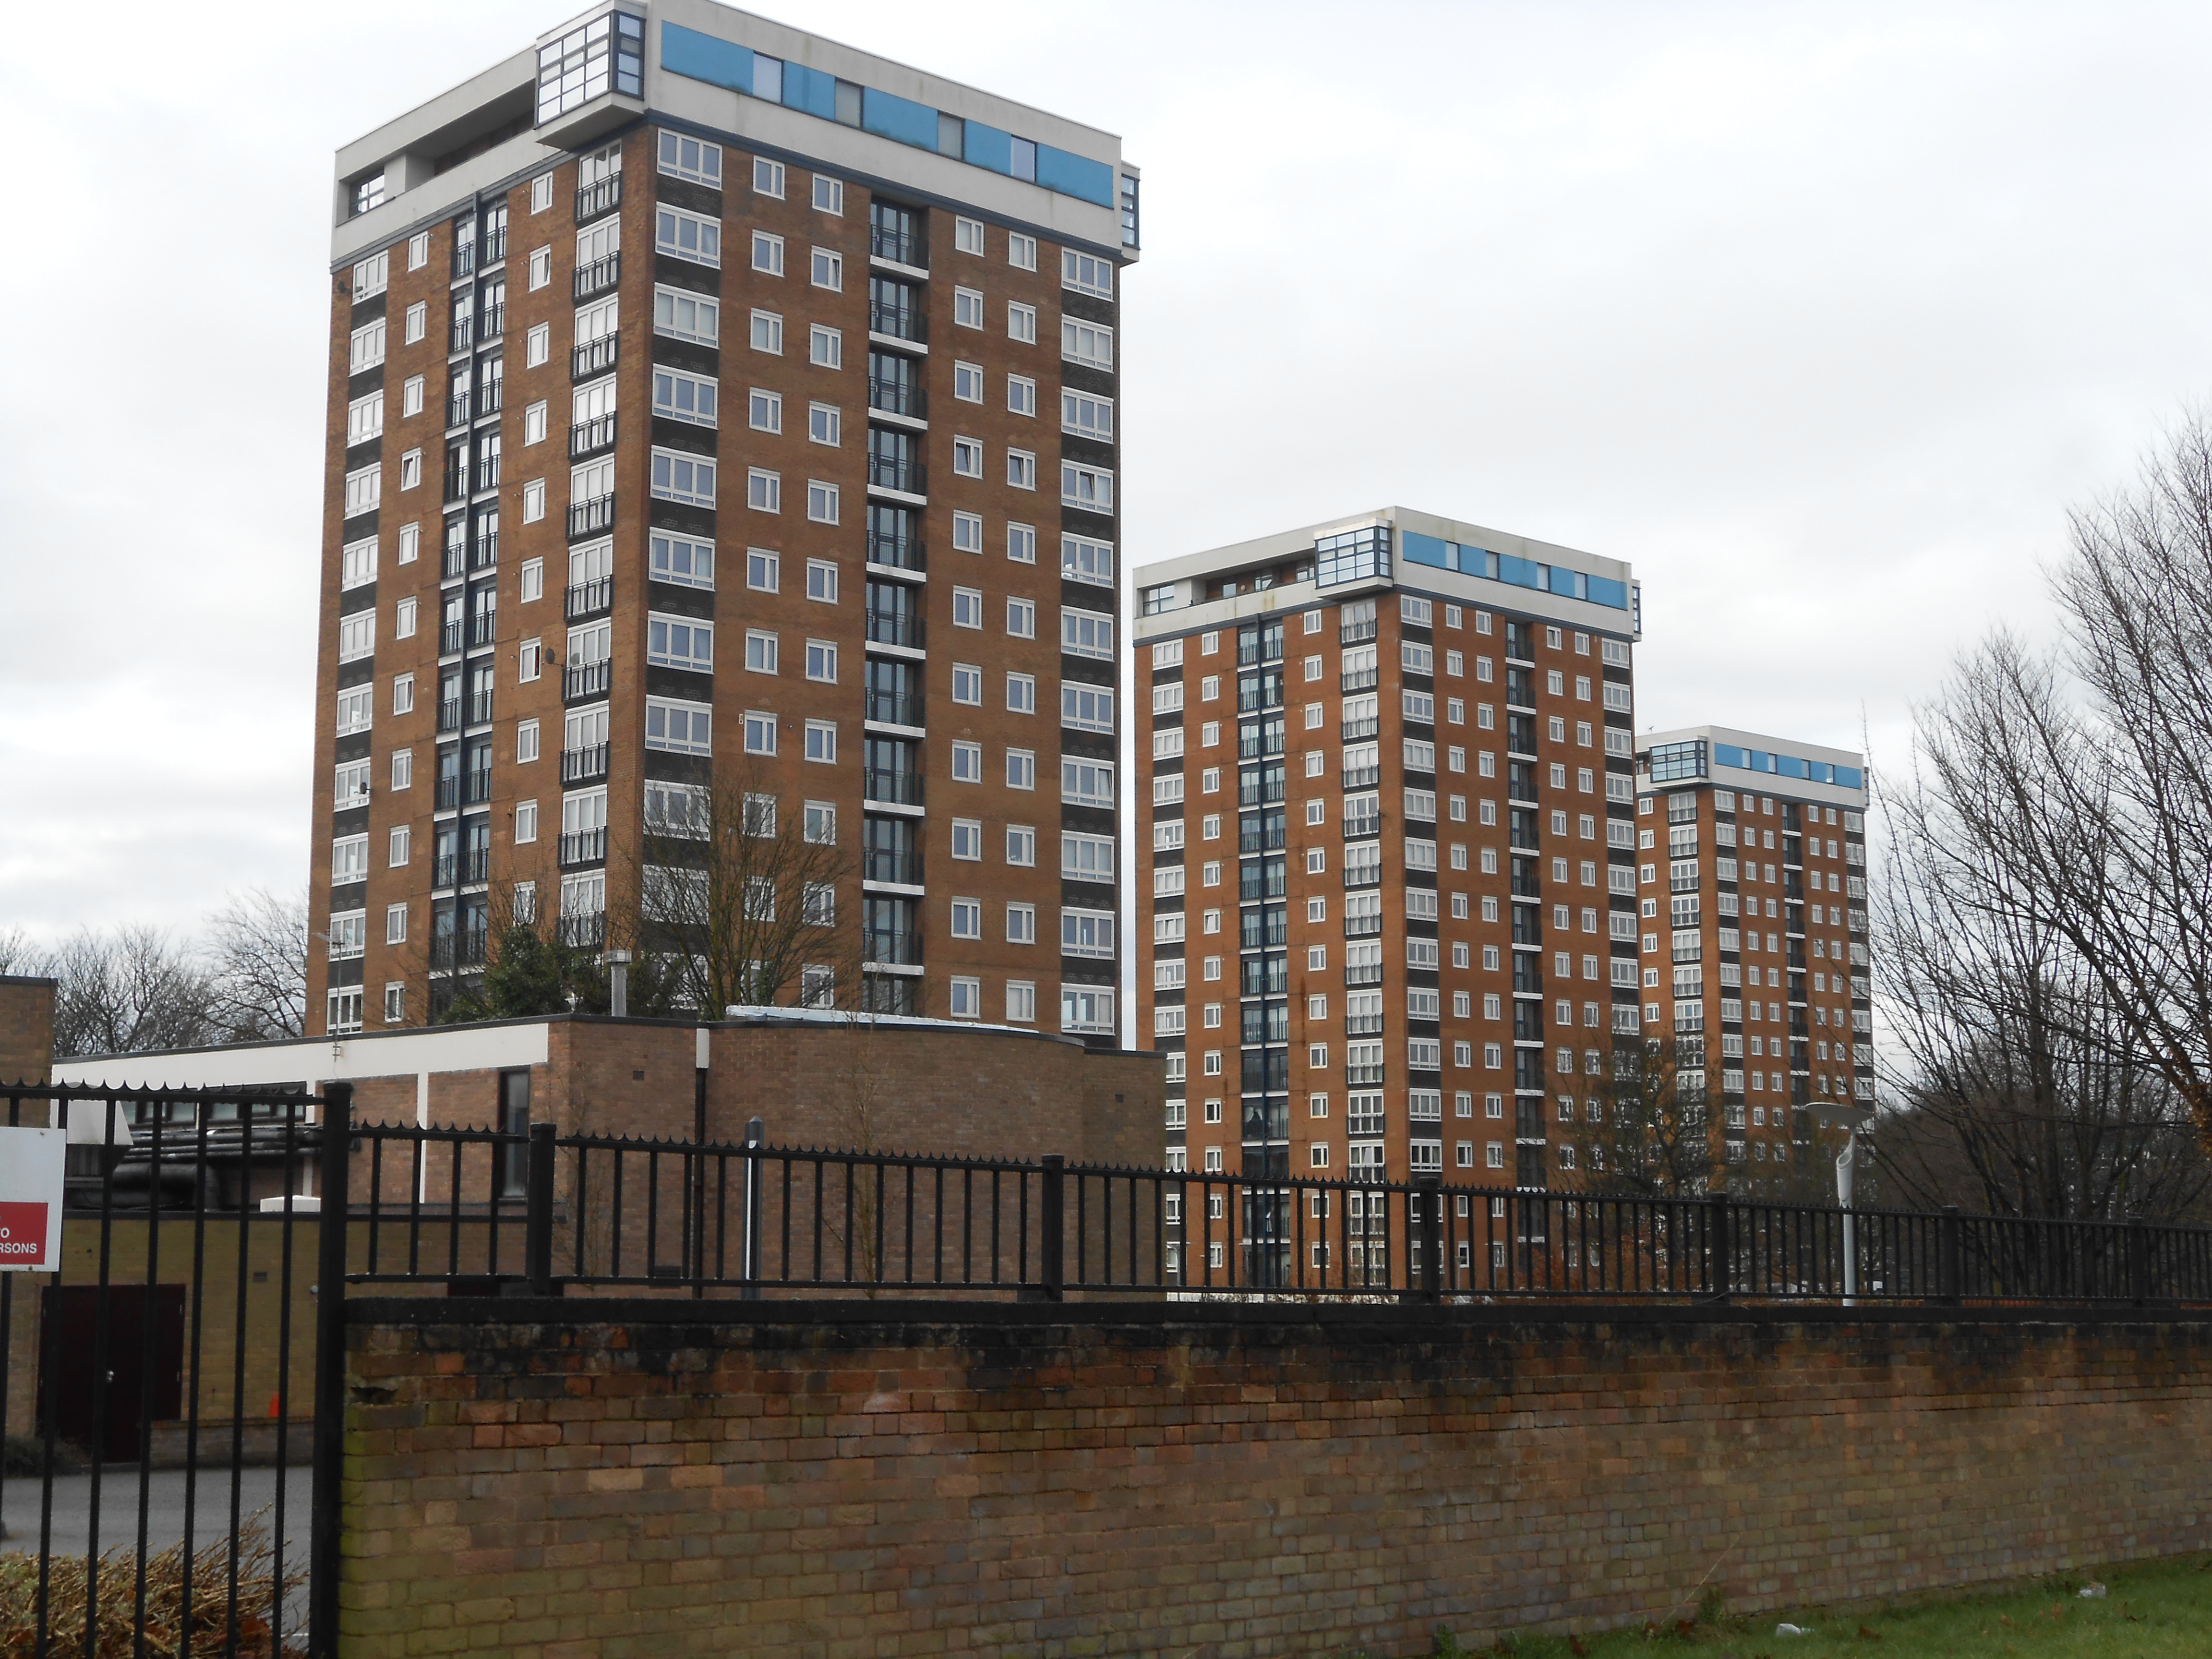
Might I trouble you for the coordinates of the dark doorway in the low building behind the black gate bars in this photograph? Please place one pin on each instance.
(145, 1370)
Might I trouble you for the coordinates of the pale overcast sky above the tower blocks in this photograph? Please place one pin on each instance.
(1819, 317)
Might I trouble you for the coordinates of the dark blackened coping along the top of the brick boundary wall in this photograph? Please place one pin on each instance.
(1390, 1324)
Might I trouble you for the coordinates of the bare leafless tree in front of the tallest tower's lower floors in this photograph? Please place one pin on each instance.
(751, 899)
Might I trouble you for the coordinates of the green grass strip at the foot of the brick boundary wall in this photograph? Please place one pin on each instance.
(2149, 1611)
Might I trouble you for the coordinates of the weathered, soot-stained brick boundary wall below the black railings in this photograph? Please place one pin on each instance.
(837, 1479)
